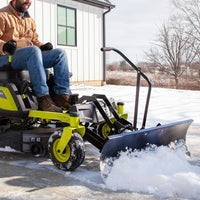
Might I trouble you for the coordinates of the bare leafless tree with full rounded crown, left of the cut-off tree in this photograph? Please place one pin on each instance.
(173, 52)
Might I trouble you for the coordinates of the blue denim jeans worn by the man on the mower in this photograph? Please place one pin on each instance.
(35, 61)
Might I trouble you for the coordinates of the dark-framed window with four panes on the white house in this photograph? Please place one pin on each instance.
(66, 26)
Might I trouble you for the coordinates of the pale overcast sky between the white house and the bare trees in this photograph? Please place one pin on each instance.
(133, 25)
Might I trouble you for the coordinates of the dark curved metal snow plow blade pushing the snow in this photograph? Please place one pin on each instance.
(159, 135)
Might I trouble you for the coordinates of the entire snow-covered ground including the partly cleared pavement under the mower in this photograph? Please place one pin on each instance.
(160, 174)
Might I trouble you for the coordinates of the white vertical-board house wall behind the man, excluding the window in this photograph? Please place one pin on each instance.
(85, 60)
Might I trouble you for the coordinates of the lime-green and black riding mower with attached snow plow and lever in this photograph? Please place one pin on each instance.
(61, 136)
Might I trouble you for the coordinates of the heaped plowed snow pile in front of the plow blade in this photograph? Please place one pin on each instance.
(162, 172)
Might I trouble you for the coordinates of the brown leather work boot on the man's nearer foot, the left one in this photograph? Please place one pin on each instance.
(45, 103)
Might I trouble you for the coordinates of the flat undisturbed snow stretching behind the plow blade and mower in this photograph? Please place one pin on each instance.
(166, 105)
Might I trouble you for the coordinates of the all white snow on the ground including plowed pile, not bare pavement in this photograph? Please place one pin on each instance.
(161, 173)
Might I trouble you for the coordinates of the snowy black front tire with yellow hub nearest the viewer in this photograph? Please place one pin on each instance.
(73, 155)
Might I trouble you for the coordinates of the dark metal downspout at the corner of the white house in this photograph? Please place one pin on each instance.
(104, 45)
